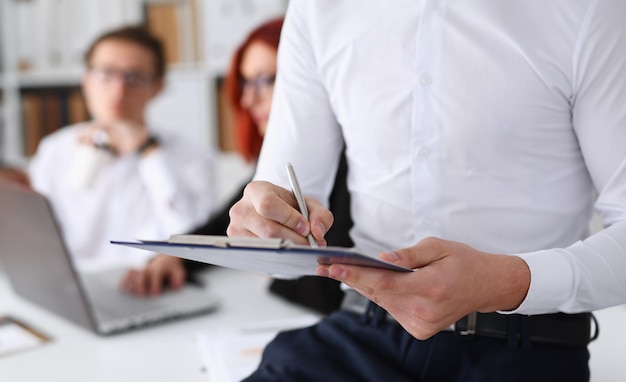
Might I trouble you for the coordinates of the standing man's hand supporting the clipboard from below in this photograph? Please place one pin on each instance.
(450, 280)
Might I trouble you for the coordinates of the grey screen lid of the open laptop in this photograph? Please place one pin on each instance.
(34, 256)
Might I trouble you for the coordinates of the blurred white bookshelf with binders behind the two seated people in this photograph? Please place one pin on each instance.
(42, 44)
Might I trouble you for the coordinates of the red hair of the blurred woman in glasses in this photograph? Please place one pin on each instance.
(247, 138)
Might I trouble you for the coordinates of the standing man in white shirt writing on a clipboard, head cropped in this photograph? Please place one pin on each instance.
(478, 135)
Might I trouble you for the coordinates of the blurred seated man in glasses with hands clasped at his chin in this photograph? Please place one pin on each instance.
(146, 185)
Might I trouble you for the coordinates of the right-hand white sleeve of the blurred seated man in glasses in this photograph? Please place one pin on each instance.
(179, 180)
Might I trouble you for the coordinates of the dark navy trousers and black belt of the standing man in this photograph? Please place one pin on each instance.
(348, 347)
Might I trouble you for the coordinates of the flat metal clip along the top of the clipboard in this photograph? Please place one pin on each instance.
(226, 242)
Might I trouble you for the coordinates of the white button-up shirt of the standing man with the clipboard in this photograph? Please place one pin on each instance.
(493, 123)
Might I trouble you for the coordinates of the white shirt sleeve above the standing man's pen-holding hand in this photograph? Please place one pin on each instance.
(302, 128)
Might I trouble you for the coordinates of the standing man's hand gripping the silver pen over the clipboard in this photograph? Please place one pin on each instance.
(267, 210)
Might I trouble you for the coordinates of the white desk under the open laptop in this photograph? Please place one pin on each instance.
(168, 353)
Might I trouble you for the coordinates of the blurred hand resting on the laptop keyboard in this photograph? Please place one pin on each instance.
(151, 280)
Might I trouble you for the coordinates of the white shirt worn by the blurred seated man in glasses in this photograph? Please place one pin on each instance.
(169, 191)
